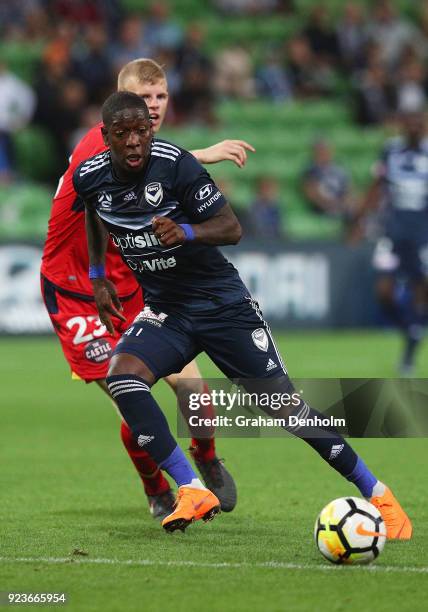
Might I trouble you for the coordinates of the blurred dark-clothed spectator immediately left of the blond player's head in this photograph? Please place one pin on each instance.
(92, 64)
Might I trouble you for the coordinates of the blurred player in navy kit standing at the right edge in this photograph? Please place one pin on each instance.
(401, 254)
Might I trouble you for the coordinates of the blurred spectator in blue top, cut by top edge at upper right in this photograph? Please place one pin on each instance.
(351, 36)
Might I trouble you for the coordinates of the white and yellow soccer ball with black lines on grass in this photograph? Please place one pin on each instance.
(350, 530)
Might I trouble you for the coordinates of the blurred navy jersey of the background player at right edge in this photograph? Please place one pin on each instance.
(404, 171)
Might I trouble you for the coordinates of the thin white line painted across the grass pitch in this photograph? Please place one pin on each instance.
(226, 565)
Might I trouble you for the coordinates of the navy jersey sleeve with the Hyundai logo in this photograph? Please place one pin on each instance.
(196, 191)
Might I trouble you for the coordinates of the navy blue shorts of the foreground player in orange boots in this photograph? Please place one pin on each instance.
(235, 337)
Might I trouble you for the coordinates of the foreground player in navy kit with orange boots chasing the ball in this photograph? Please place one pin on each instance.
(167, 217)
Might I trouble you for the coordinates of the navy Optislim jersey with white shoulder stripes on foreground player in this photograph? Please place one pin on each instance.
(175, 185)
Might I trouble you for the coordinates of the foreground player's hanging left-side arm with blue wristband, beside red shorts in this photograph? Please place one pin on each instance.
(106, 298)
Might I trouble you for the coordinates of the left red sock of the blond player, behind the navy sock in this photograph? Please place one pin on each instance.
(153, 480)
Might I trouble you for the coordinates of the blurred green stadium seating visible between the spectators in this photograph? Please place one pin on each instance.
(282, 133)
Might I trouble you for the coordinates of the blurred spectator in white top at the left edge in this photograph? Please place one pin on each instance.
(17, 102)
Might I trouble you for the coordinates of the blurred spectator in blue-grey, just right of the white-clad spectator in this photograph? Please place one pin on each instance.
(272, 78)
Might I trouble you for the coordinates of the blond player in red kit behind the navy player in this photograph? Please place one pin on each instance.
(68, 294)
